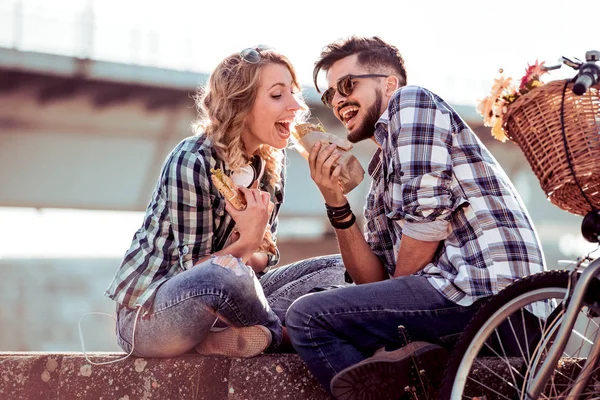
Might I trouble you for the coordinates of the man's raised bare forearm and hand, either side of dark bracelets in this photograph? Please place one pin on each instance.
(360, 261)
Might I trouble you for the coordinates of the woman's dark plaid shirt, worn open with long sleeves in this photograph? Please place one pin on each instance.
(185, 221)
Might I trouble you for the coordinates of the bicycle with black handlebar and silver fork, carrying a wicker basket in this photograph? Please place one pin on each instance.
(543, 331)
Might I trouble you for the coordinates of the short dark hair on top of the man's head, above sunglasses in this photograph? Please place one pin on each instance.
(372, 53)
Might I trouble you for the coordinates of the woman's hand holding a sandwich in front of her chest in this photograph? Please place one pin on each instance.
(252, 222)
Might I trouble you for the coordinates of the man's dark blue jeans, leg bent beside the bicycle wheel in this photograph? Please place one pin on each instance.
(334, 329)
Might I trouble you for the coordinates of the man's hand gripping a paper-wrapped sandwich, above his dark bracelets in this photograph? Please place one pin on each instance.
(321, 161)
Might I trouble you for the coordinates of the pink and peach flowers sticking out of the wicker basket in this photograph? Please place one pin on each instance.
(505, 92)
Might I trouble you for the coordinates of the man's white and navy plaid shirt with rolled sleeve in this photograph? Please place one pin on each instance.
(434, 180)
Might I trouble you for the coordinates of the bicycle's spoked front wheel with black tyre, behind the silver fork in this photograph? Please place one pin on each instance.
(507, 340)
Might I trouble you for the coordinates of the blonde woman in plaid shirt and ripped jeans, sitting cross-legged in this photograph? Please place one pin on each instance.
(192, 279)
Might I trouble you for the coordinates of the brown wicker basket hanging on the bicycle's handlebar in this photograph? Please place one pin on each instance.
(567, 166)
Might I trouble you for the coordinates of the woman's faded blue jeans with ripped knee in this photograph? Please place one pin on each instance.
(187, 305)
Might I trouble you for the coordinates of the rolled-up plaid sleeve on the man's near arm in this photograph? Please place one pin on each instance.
(421, 136)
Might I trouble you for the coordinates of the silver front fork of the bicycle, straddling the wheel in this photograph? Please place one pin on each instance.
(575, 302)
